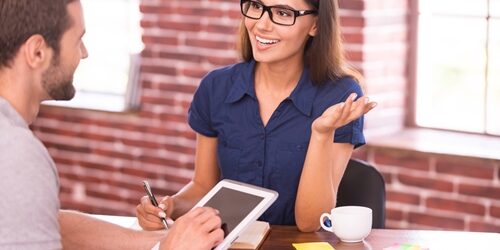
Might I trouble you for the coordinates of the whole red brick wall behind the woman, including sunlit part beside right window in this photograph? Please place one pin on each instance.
(103, 157)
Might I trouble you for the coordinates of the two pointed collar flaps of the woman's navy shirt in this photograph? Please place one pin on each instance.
(302, 96)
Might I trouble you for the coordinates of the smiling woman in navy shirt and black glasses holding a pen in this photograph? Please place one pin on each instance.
(271, 120)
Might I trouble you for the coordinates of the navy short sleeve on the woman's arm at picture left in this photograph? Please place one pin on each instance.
(199, 111)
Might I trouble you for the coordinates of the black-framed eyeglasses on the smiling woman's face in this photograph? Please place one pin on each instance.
(279, 14)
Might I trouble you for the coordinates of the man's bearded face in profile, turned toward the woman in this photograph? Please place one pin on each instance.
(57, 80)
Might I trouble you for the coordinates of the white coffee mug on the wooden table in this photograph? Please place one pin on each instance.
(349, 223)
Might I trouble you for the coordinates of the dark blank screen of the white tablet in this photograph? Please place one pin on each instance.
(231, 214)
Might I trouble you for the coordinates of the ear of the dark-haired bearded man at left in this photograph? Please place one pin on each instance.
(36, 51)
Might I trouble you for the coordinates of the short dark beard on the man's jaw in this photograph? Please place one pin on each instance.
(57, 82)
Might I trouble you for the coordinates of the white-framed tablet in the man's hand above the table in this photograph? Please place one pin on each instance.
(239, 205)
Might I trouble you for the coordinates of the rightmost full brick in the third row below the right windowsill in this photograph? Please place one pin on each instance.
(455, 206)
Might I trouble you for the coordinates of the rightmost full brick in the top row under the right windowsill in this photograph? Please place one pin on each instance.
(474, 169)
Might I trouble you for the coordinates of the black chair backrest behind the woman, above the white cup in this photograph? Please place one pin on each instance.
(363, 185)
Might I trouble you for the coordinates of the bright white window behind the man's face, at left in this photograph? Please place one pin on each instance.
(108, 78)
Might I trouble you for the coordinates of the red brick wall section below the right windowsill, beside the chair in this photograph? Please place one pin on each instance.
(437, 191)
